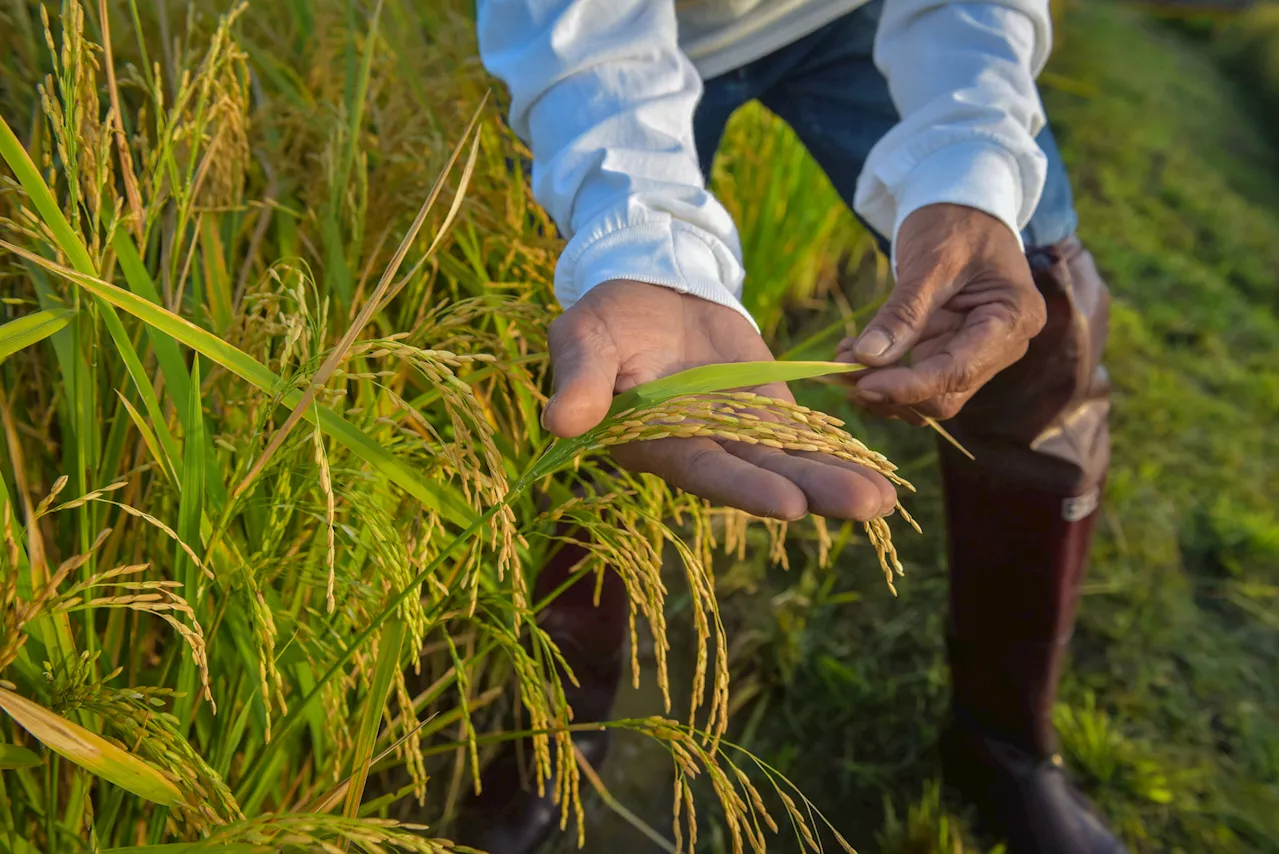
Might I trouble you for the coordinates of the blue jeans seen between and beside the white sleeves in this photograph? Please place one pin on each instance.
(830, 92)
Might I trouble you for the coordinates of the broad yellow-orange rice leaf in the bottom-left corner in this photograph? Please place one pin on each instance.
(90, 751)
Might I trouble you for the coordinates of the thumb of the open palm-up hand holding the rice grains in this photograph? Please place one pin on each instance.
(584, 368)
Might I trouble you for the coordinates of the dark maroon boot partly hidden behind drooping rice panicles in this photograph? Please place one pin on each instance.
(509, 816)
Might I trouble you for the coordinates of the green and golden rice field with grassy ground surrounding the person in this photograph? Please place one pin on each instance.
(273, 487)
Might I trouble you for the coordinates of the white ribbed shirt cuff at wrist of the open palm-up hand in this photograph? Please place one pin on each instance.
(664, 252)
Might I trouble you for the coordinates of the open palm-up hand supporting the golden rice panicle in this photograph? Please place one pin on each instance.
(624, 334)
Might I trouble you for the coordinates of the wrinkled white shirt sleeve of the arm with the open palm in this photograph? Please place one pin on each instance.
(605, 98)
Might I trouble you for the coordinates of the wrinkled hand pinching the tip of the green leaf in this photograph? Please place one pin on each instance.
(964, 307)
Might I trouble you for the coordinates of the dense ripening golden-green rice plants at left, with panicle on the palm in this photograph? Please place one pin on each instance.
(276, 299)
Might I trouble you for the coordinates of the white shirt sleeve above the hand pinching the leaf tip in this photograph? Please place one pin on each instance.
(963, 77)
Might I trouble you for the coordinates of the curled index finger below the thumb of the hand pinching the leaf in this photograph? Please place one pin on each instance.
(981, 350)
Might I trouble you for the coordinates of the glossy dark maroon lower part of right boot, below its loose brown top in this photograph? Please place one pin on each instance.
(1017, 561)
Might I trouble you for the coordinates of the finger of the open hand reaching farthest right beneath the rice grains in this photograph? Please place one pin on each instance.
(831, 491)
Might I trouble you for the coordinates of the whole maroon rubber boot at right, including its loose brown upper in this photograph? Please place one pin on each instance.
(1020, 523)
